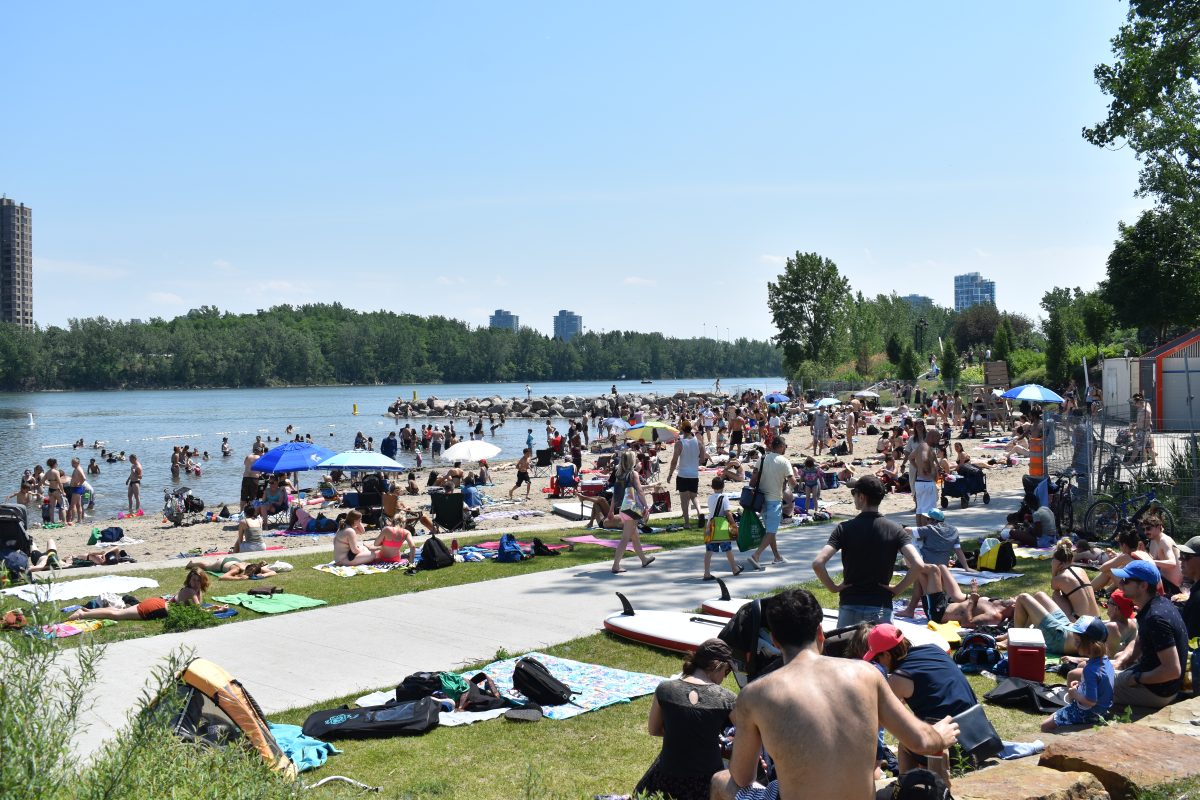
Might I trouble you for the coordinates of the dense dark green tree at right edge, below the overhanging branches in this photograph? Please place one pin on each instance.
(1154, 274)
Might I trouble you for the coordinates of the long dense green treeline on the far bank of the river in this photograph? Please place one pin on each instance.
(325, 345)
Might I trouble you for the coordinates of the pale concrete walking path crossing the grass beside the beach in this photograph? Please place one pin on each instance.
(301, 659)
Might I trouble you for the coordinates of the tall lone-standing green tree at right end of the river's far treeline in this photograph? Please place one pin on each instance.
(808, 304)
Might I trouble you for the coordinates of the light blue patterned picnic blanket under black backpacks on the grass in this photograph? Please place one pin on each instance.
(598, 687)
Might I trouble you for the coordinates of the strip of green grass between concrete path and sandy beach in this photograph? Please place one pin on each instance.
(334, 591)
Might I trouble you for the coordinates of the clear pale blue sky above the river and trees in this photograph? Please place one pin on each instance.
(647, 166)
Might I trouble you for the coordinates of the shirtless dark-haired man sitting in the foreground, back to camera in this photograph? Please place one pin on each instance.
(800, 714)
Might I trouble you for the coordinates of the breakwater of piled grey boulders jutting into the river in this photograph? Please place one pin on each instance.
(568, 407)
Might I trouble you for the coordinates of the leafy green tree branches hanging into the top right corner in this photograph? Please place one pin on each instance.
(1155, 89)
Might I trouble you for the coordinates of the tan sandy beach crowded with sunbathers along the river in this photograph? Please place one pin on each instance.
(161, 540)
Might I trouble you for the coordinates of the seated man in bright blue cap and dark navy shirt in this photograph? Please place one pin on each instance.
(1151, 672)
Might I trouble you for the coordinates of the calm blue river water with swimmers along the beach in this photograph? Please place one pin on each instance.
(149, 424)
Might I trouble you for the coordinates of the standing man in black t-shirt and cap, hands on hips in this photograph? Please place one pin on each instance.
(868, 545)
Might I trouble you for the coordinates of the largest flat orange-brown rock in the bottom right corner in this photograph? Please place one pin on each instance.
(1127, 759)
